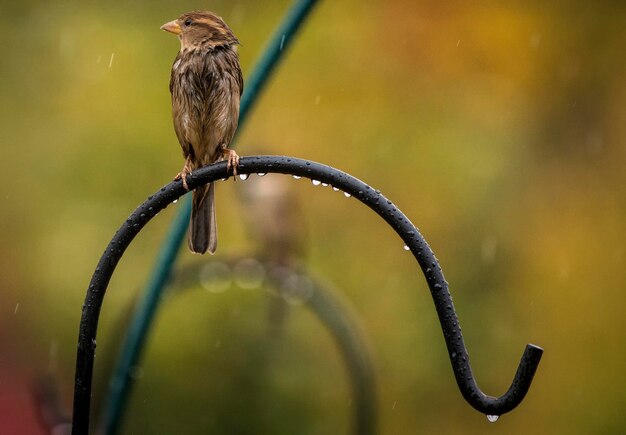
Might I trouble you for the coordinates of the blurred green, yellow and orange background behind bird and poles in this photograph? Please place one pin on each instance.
(500, 131)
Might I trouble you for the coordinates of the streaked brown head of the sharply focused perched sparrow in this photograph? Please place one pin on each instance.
(201, 29)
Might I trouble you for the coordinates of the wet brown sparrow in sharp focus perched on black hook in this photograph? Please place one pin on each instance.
(206, 84)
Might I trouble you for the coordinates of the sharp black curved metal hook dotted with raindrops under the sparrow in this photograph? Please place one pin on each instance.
(325, 174)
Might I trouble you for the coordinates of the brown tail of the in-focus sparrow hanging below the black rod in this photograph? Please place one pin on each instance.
(203, 228)
